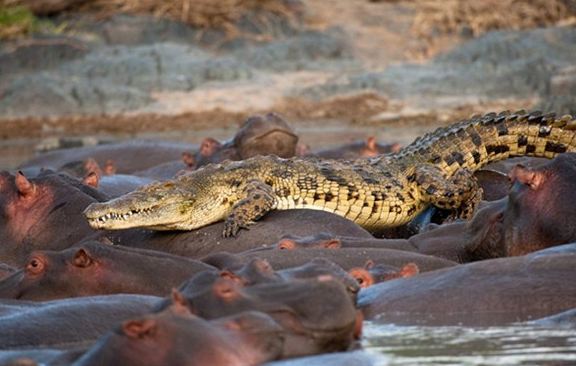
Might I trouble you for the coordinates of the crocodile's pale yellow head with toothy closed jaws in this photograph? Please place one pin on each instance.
(186, 203)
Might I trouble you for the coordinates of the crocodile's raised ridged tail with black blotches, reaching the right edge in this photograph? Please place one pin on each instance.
(480, 140)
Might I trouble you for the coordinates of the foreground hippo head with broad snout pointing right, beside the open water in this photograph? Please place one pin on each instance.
(309, 328)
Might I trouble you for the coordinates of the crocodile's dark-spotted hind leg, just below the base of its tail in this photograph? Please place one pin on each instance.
(460, 193)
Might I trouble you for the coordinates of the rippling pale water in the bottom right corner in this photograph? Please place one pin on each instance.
(510, 345)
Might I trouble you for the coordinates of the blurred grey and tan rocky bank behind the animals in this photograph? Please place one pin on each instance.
(353, 68)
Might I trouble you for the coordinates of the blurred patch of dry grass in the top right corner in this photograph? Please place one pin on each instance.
(435, 17)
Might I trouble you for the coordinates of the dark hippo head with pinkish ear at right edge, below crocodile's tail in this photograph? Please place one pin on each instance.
(540, 212)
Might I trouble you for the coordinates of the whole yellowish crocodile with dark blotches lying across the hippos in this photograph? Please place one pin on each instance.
(382, 192)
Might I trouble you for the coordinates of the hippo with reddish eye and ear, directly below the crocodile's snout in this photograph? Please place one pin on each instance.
(93, 268)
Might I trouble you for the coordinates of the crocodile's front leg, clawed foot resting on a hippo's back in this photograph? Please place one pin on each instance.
(258, 200)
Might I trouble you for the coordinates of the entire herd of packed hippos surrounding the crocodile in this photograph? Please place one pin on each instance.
(300, 283)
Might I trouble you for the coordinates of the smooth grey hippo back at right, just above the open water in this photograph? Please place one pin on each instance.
(485, 293)
